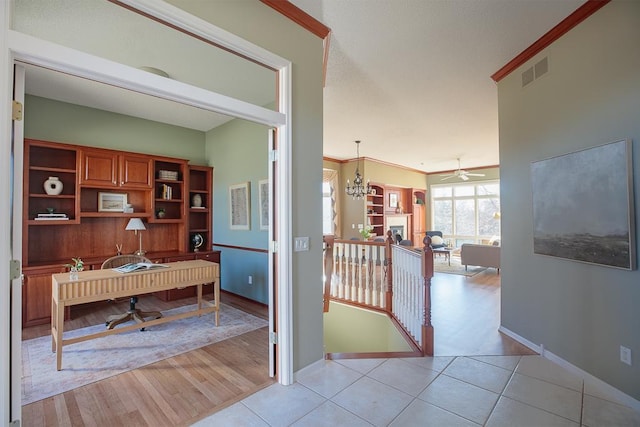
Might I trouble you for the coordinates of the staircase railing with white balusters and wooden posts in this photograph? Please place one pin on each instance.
(386, 277)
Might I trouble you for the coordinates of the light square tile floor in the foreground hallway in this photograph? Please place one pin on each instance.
(439, 391)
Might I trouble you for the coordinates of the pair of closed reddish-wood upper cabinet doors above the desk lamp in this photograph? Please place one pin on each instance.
(109, 169)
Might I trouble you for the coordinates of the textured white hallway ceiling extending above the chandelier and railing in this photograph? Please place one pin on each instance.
(411, 78)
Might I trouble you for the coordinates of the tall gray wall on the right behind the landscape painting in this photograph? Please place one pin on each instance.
(590, 96)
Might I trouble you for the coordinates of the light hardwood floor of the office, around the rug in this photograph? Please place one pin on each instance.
(173, 392)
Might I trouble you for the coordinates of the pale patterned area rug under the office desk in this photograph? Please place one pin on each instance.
(94, 360)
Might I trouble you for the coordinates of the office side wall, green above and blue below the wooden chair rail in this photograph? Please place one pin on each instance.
(238, 152)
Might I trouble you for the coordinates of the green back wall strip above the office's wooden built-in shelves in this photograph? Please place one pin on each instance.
(51, 120)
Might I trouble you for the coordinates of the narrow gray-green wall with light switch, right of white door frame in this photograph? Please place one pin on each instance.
(259, 24)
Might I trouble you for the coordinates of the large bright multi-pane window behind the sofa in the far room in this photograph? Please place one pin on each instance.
(466, 213)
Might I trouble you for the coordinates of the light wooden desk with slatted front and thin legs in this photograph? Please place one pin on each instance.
(99, 285)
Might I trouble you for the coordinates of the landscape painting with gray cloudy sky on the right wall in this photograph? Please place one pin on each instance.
(583, 206)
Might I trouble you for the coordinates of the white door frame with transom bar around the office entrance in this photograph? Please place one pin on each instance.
(18, 46)
